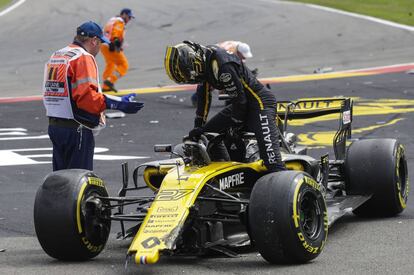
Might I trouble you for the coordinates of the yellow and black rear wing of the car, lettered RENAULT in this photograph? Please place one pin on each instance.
(311, 108)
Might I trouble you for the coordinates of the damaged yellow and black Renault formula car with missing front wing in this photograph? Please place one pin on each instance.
(192, 204)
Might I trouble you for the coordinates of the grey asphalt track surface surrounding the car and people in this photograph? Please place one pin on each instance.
(286, 39)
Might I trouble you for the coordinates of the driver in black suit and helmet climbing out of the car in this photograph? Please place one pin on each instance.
(252, 106)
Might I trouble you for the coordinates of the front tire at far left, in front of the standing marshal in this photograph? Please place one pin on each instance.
(70, 222)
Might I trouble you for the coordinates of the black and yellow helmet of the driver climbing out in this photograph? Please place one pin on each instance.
(184, 63)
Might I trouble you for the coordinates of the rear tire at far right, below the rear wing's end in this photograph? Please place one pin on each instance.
(377, 167)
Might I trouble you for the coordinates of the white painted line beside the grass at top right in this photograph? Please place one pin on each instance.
(356, 15)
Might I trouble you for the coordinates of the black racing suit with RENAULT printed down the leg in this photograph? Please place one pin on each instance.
(252, 105)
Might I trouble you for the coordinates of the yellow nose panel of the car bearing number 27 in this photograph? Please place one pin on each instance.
(167, 214)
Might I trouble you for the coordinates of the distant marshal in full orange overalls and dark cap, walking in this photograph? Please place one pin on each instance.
(115, 59)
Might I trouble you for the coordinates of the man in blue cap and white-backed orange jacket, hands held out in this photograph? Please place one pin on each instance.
(74, 102)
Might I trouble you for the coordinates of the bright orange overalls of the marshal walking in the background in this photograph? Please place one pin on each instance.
(116, 61)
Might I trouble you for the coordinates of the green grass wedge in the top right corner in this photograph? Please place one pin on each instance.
(400, 11)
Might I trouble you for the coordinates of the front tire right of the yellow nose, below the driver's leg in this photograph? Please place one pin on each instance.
(287, 217)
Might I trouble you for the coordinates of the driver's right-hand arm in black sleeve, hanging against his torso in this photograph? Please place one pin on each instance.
(230, 79)
